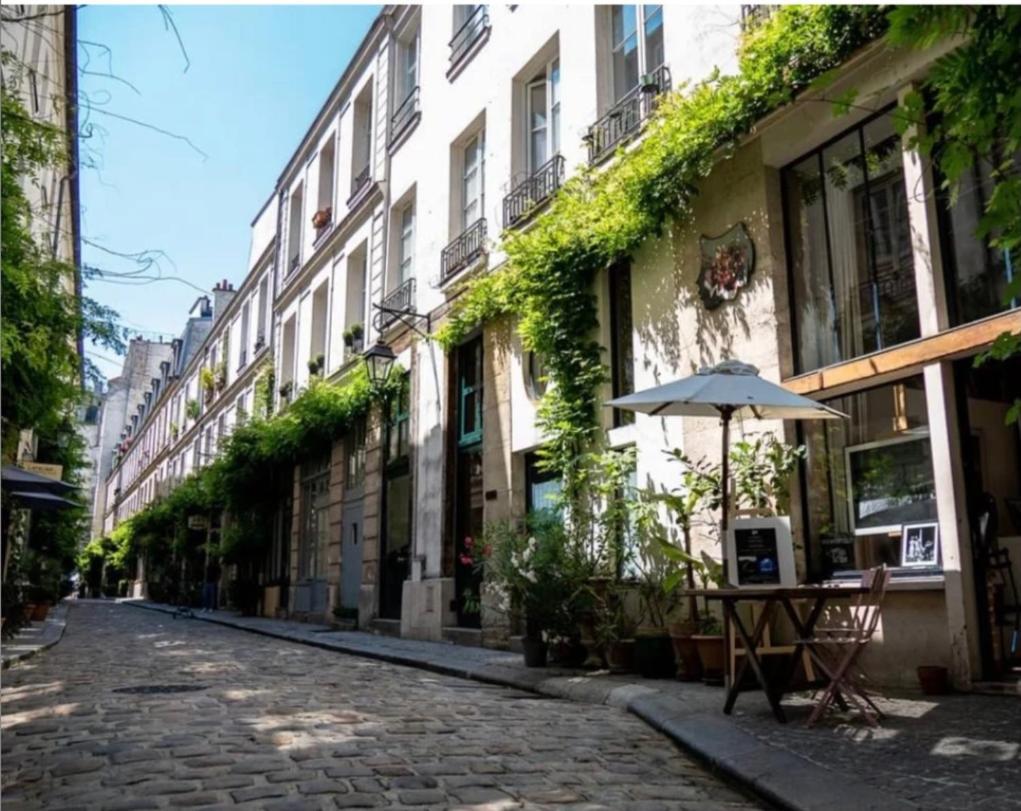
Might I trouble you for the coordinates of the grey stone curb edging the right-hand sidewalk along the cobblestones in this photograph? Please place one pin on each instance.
(782, 779)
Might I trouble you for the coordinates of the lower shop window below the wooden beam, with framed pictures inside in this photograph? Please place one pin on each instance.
(869, 479)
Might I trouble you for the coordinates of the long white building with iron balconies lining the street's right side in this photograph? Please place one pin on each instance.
(454, 123)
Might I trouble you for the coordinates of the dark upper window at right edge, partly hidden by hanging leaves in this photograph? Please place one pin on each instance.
(978, 275)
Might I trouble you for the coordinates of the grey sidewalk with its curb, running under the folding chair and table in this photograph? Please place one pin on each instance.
(949, 753)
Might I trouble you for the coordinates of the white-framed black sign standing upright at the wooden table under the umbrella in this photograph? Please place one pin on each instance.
(761, 553)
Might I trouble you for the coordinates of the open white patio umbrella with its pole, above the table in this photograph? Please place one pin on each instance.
(724, 391)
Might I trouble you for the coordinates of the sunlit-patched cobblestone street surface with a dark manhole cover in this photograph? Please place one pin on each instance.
(262, 724)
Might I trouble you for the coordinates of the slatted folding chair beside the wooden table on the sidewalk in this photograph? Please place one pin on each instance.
(837, 650)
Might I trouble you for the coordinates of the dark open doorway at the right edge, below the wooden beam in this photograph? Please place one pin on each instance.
(992, 461)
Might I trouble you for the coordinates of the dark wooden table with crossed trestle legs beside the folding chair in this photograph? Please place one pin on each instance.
(772, 599)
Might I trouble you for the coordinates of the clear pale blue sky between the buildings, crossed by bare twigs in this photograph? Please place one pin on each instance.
(258, 75)
